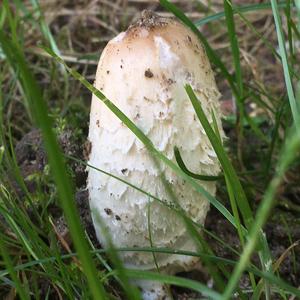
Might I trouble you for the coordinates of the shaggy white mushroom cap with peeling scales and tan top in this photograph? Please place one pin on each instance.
(143, 71)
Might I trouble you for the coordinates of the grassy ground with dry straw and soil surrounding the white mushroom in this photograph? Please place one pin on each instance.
(249, 244)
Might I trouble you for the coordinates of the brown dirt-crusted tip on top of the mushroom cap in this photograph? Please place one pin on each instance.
(149, 20)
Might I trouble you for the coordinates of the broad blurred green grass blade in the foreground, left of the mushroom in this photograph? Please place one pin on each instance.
(39, 110)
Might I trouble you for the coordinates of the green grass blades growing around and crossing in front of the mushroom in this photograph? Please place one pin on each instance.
(31, 256)
